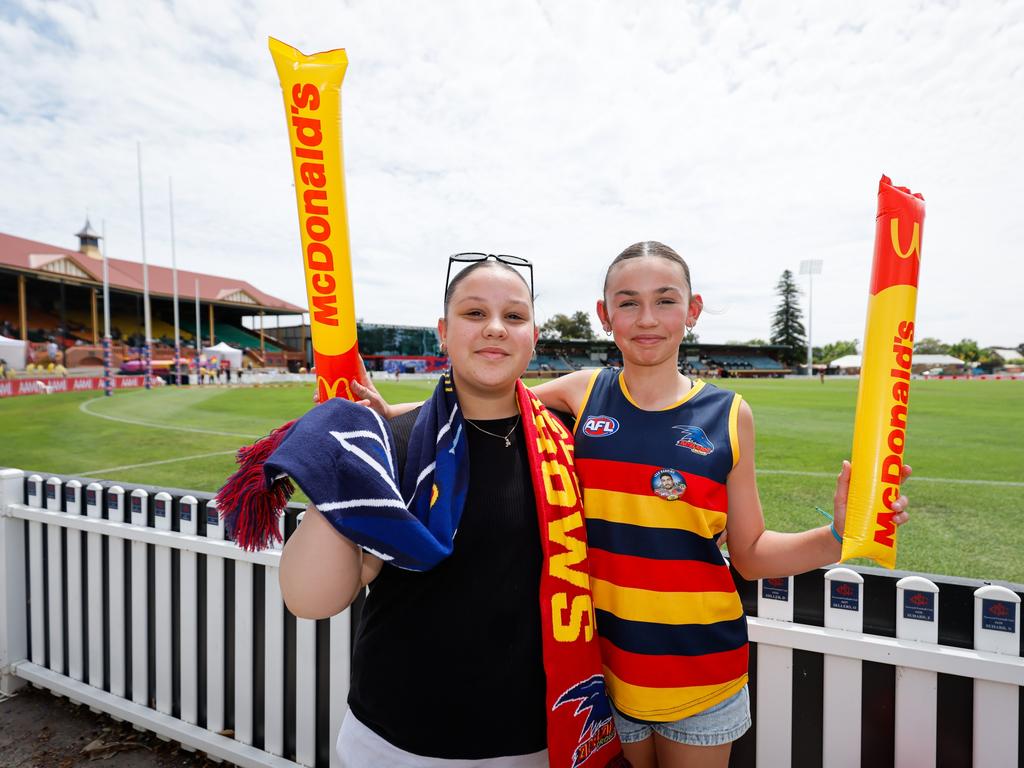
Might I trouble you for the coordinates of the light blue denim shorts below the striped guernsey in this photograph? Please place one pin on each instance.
(720, 724)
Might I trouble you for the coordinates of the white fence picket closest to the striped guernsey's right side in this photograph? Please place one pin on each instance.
(775, 734)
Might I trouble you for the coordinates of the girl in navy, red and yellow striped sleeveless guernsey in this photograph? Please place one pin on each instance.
(668, 472)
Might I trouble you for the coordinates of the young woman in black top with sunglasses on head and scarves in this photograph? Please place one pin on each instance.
(453, 665)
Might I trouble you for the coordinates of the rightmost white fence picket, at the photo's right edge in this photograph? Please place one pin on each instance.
(997, 630)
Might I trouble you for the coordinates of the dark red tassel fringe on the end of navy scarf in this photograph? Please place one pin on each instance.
(250, 504)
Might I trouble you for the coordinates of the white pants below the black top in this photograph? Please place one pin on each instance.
(360, 748)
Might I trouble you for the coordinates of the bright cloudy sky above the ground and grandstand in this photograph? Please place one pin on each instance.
(748, 136)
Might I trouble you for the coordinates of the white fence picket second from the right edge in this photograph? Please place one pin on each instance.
(917, 691)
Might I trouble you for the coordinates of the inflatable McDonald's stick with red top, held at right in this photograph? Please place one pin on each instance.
(884, 396)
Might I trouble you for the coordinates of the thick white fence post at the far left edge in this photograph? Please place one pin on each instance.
(14, 629)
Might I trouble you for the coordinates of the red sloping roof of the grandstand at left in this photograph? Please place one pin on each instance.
(47, 261)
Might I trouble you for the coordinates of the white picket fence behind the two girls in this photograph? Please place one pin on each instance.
(136, 606)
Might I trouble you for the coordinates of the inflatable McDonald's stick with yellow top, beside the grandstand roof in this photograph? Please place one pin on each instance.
(312, 87)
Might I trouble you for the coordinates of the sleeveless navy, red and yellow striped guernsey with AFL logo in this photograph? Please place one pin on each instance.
(671, 624)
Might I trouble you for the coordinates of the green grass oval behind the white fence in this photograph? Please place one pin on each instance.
(965, 444)
